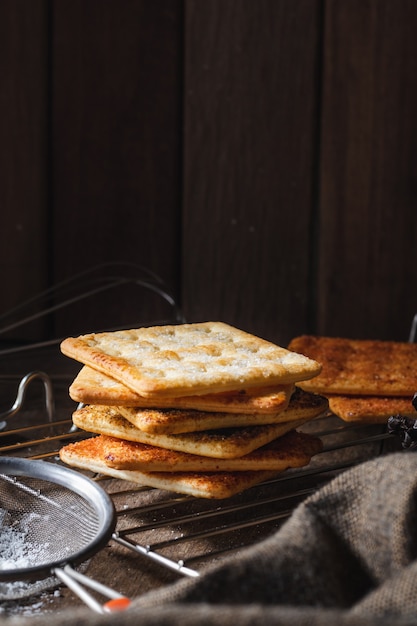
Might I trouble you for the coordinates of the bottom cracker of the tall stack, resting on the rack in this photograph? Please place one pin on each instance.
(212, 485)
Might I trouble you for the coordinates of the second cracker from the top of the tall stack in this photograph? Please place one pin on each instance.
(93, 387)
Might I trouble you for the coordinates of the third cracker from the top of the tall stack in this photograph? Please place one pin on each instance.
(303, 405)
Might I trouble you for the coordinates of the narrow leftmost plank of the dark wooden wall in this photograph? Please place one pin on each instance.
(23, 154)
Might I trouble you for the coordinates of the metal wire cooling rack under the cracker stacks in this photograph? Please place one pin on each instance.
(178, 533)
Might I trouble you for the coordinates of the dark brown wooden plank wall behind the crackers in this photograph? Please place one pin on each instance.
(260, 156)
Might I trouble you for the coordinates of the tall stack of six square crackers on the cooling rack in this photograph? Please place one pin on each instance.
(202, 409)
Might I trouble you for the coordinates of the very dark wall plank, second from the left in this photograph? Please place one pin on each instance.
(116, 148)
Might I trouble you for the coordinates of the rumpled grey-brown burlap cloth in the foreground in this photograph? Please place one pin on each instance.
(347, 555)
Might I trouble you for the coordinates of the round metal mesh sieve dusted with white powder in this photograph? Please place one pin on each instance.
(51, 519)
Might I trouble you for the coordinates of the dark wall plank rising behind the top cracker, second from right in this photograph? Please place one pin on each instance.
(250, 123)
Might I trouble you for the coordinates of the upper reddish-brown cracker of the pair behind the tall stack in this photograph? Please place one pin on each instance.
(360, 366)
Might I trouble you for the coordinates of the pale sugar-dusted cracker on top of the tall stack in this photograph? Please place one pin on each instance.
(189, 359)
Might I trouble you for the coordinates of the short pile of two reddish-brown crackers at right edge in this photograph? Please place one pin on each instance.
(364, 381)
